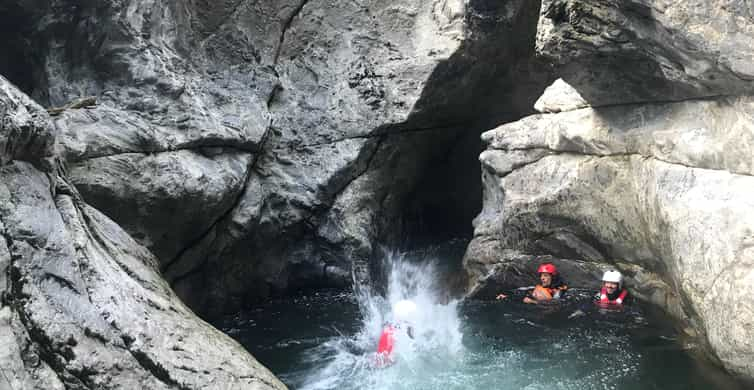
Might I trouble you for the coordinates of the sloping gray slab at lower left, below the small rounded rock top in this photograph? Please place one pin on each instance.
(95, 306)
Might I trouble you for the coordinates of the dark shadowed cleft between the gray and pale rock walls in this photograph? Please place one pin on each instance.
(486, 83)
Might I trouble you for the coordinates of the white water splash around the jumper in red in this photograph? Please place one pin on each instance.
(436, 346)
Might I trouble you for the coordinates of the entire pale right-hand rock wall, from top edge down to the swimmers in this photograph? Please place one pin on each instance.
(640, 159)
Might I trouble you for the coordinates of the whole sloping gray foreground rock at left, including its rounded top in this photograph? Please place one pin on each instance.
(82, 304)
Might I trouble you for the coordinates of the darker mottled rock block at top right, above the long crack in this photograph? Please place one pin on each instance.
(635, 51)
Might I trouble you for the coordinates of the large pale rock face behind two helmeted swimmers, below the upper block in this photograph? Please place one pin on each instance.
(665, 187)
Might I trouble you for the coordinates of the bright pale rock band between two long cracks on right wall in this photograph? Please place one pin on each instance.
(706, 133)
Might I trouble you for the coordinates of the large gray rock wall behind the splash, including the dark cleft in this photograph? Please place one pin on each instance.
(260, 146)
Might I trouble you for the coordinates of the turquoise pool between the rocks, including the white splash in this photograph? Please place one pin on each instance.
(327, 340)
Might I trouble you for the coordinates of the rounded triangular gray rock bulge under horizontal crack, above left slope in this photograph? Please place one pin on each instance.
(181, 193)
